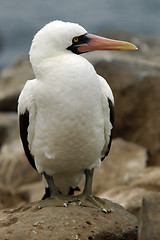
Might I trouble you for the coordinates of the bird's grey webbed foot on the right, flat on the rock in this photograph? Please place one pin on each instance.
(88, 200)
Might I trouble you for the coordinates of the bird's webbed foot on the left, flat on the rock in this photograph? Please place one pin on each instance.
(56, 201)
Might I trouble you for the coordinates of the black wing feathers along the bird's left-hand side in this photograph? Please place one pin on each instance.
(23, 125)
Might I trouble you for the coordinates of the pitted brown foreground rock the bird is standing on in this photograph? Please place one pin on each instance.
(74, 222)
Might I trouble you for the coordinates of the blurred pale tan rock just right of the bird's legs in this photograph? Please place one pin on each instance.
(123, 163)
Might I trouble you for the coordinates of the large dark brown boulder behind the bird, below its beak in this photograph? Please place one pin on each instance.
(134, 112)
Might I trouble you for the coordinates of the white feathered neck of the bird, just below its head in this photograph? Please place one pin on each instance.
(63, 65)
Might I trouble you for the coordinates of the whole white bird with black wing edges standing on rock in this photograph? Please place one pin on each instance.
(66, 113)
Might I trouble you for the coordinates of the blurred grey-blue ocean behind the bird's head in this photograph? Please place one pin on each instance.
(21, 19)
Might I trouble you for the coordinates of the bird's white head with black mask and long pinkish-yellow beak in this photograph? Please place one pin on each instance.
(60, 37)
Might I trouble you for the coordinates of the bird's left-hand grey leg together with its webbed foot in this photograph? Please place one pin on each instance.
(56, 199)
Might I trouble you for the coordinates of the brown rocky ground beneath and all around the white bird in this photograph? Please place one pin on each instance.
(130, 176)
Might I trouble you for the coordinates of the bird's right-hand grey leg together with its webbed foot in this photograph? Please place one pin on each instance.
(87, 199)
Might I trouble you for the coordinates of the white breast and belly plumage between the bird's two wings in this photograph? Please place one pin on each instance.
(69, 113)
